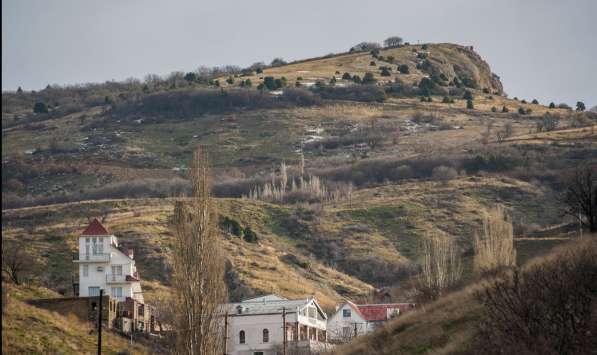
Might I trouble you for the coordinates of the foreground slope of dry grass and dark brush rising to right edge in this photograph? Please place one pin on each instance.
(527, 312)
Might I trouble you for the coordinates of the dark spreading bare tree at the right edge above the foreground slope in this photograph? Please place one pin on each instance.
(580, 197)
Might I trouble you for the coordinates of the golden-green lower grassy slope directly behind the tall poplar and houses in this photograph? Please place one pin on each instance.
(380, 227)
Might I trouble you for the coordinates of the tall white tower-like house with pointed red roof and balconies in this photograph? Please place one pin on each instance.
(103, 264)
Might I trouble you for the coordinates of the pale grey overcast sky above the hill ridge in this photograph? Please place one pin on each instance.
(544, 49)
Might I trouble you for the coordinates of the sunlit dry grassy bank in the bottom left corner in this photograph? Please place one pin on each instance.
(31, 330)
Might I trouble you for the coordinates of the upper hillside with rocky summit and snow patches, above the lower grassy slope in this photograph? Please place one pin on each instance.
(134, 139)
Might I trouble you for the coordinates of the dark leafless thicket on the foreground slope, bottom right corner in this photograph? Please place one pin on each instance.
(546, 308)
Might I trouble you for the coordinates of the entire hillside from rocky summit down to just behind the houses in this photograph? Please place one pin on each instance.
(370, 168)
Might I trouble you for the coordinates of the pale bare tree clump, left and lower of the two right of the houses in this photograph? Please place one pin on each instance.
(441, 265)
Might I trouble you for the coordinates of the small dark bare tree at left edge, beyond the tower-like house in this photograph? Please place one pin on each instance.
(17, 263)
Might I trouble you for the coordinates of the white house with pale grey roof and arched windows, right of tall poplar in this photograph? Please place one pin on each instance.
(264, 325)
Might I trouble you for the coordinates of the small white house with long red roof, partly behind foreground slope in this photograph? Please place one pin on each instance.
(351, 320)
